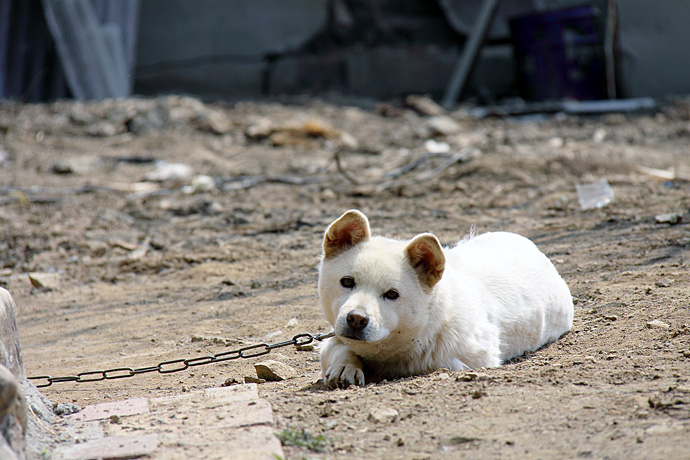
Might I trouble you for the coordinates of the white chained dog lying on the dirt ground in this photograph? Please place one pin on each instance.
(402, 308)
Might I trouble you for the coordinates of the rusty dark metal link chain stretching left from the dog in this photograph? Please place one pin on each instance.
(177, 365)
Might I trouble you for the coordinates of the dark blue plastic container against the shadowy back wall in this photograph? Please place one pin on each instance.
(560, 54)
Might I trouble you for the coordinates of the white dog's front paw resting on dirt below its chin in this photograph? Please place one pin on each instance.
(340, 367)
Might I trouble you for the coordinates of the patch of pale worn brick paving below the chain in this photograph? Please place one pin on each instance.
(216, 423)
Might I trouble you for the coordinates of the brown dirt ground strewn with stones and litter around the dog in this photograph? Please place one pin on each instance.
(136, 272)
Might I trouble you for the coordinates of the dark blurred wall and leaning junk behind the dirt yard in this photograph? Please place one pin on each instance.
(481, 51)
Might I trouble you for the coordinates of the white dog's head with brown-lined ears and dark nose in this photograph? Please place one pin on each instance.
(376, 291)
